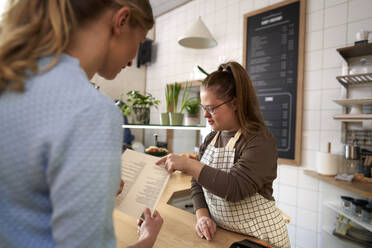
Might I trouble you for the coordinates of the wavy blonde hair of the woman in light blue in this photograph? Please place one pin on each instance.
(31, 29)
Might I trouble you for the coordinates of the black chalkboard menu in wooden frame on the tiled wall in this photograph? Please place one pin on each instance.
(273, 57)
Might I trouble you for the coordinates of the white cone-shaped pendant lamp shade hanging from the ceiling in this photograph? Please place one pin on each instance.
(198, 36)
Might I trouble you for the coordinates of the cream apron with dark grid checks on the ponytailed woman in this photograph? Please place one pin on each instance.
(255, 215)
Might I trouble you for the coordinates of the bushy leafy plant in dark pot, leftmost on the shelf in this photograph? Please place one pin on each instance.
(138, 107)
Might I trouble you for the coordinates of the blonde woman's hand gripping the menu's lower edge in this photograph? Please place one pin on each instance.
(150, 227)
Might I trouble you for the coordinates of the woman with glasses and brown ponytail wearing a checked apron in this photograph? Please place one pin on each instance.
(232, 181)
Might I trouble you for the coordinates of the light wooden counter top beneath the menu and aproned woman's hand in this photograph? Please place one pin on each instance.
(178, 229)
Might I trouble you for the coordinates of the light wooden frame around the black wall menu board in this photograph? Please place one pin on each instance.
(298, 98)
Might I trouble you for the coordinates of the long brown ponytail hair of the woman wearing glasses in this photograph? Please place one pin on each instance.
(231, 81)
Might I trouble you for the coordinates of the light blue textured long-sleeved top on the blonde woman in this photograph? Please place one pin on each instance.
(60, 148)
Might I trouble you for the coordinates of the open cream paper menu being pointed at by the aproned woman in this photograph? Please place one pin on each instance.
(144, 183)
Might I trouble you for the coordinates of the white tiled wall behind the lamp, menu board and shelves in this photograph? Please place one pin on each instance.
(330, 24)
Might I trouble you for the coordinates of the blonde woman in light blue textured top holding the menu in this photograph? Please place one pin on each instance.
(60, 138)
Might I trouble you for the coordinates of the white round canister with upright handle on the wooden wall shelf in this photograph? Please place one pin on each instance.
(327, 164)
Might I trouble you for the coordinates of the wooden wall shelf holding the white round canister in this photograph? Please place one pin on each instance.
(359, 188)
